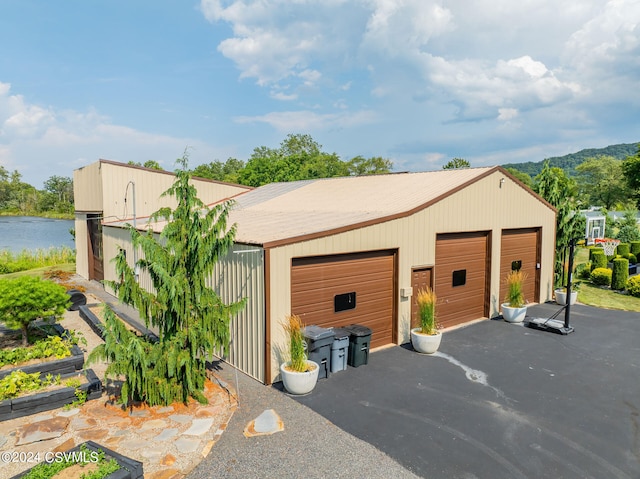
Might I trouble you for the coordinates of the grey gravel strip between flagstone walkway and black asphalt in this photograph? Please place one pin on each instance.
(310, 446)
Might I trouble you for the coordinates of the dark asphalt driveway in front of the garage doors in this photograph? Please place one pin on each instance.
(501, 400)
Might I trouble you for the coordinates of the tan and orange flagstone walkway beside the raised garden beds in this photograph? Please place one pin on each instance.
(170, 441)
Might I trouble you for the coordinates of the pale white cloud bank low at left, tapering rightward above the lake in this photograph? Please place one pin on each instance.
(40, 142)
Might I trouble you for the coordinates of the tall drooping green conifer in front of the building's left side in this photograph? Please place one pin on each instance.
(191, 319)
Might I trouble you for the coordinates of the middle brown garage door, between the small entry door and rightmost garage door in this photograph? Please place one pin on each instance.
(462, 262)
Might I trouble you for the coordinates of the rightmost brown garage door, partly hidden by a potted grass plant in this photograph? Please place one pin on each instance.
(520, 248)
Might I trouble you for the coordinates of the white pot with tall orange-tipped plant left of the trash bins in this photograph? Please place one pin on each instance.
(299, 374)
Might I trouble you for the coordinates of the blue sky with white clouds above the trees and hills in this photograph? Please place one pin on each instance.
(415, 81)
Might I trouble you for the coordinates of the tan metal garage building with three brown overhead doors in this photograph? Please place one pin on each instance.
(355, 250)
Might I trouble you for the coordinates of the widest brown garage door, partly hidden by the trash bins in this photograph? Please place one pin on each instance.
(358, 288)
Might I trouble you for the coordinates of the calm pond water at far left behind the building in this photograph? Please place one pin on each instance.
(30, 232)
